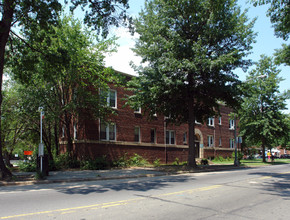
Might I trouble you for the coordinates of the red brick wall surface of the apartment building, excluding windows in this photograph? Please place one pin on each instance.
(126, 120)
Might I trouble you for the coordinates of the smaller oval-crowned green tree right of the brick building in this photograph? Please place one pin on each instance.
(261, 117)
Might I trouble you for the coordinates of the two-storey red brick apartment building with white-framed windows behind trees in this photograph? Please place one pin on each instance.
(131, 132)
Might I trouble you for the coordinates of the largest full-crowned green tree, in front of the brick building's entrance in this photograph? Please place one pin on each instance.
(190, 49)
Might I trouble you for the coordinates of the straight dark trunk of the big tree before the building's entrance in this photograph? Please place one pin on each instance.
(191, 123)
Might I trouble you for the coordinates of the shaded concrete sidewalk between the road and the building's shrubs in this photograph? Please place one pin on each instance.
(27, 178)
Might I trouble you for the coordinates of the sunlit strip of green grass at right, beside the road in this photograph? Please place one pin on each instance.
(253, 162)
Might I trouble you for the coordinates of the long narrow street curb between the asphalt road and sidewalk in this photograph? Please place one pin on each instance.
(34, 182)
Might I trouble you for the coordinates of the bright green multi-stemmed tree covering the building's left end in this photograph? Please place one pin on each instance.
(65, 77)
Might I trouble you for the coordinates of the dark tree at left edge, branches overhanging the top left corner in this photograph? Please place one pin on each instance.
(30, 14)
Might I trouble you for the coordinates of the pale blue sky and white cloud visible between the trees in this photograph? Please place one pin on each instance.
(266, 43)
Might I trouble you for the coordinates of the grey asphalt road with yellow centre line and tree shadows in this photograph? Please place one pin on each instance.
(259, 193)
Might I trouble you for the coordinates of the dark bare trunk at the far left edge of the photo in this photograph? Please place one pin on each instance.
(5, 25)
